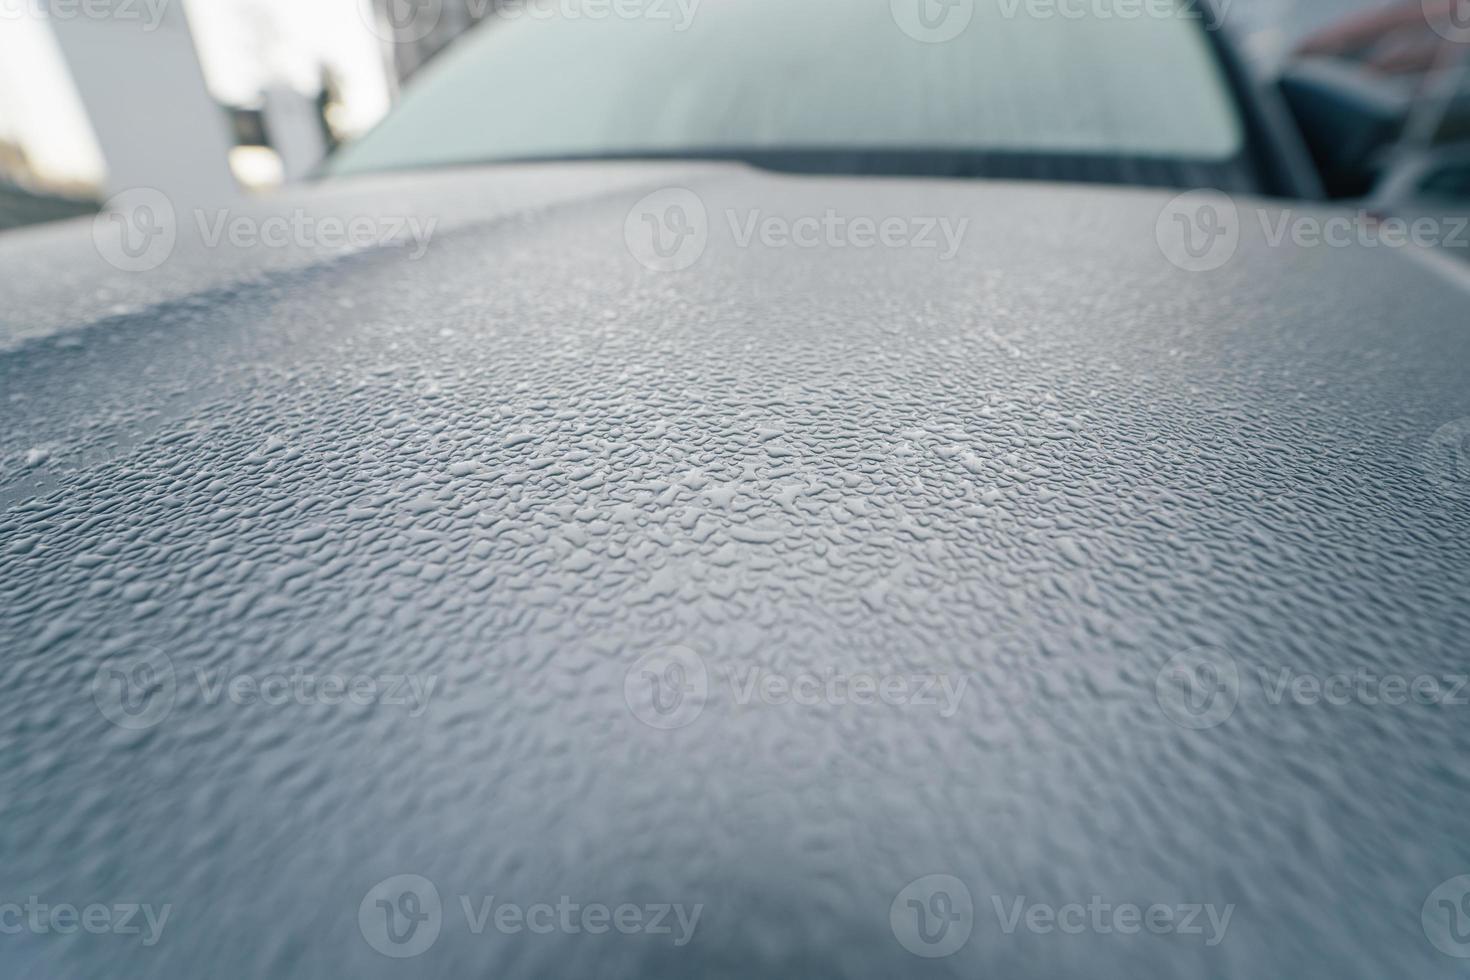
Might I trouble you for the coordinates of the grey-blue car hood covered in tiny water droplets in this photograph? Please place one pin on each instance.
(1027, 487)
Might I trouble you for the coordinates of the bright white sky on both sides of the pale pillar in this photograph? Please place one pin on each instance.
(243, 45)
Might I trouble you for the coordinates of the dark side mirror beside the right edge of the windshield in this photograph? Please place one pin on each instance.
(1347, 120)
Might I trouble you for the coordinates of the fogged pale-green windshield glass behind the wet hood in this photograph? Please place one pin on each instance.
(720, 77)
